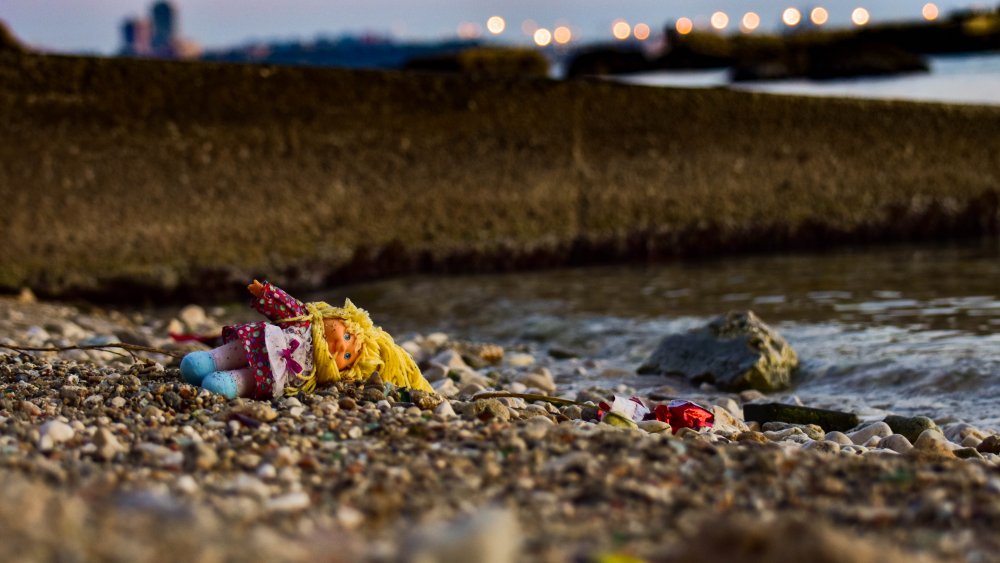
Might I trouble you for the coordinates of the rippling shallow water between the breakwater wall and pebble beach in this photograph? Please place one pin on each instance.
(907, 330)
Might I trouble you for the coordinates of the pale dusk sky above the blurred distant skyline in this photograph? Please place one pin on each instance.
(93, 25)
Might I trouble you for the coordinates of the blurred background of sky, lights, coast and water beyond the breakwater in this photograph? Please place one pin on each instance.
(930, 46)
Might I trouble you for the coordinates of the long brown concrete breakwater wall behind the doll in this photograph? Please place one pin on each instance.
(130, 179)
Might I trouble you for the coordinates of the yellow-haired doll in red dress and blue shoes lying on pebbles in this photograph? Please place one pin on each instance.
(304, 345)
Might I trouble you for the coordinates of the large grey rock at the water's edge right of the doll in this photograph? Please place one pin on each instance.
(736, 351)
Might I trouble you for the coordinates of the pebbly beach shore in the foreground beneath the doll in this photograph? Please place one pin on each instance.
(98, 447)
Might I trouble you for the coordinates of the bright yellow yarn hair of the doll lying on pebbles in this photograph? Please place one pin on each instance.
(376, 350)
